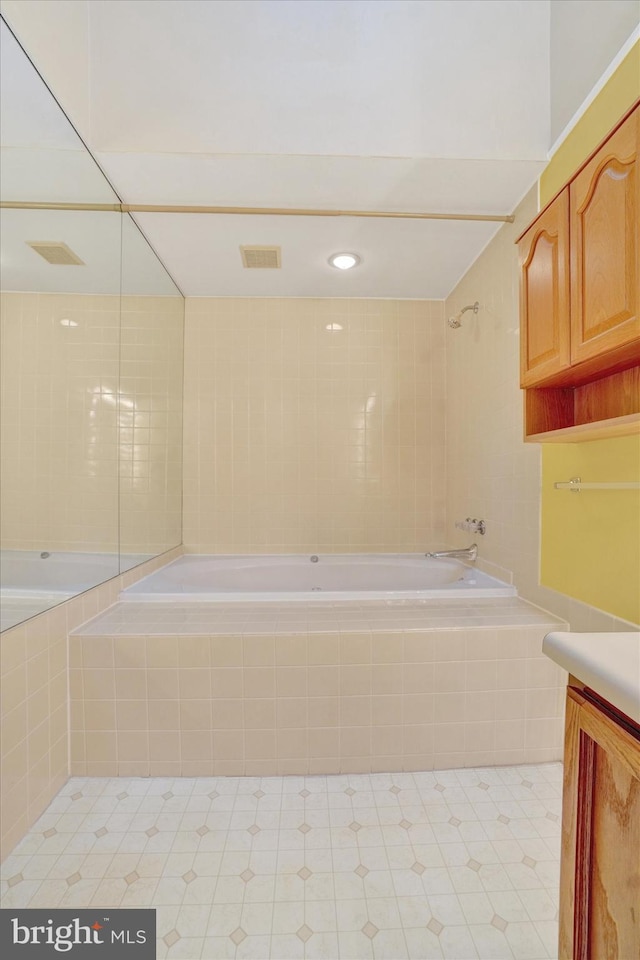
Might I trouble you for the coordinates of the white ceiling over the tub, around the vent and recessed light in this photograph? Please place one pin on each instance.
(408, 105)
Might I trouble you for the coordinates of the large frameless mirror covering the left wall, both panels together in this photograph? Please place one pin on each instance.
(91, 375)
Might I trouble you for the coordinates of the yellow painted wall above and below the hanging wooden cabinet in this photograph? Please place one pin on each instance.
(591, 540)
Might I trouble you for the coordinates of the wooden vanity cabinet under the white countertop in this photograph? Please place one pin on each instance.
(600, 865)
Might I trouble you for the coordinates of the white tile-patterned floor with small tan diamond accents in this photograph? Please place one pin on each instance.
(457, 863)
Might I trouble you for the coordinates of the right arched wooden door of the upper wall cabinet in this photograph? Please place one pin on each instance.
(605, 246)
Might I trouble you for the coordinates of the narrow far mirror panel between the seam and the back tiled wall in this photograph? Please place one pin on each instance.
(150, 403)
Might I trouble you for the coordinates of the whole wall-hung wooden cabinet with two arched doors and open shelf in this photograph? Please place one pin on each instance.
(580, 300)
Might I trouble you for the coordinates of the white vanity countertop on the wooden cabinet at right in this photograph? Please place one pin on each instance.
(608, 663)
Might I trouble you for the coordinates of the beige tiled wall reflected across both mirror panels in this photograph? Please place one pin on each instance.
(91, 422)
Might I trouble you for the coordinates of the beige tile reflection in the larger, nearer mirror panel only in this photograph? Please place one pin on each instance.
(59, 422)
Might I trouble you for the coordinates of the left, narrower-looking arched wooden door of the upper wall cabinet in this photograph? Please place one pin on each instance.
(543, 254)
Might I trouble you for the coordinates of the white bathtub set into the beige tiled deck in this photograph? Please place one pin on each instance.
(326, 577)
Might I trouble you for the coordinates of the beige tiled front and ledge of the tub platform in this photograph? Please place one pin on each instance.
(348, 688)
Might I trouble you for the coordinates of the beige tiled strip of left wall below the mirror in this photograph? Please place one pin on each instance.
(34, 703)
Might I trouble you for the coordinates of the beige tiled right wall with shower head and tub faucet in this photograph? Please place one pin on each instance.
(491, 473)
